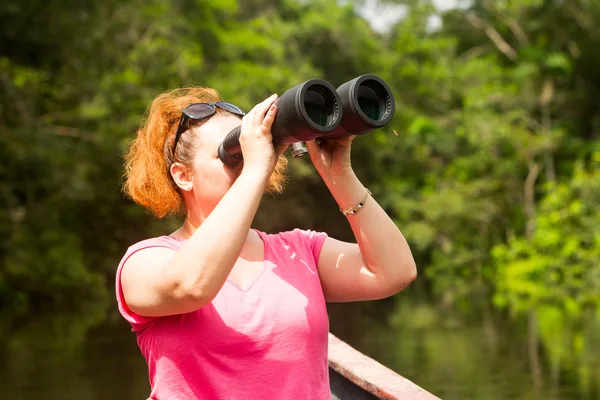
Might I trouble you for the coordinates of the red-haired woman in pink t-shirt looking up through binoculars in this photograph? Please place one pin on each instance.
(223, 311)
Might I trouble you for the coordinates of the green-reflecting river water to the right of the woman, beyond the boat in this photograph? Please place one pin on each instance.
(477, 354)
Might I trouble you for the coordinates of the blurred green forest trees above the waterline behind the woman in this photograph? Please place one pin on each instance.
(483, 167)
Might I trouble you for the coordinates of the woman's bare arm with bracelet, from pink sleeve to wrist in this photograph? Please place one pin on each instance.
(379, 265)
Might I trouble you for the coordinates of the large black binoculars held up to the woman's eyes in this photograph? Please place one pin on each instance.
(314, 109)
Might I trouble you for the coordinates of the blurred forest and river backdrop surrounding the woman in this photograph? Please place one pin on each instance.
(491, 168)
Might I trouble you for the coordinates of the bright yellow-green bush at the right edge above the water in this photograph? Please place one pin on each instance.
(558, 265)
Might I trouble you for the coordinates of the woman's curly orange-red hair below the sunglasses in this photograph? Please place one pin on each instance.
(148, 181)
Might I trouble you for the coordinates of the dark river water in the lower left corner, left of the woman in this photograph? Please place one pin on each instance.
(72, 357)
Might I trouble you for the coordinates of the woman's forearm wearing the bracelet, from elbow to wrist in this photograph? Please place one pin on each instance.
(382, 245)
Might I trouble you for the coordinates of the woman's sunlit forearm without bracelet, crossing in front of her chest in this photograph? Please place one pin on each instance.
(204, 262)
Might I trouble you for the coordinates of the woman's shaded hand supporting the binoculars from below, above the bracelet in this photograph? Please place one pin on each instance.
(331, 158)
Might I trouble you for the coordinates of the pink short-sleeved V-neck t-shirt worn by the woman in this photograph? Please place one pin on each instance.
(269, 342)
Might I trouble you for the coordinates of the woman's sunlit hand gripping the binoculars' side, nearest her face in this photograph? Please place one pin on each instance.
(256, 140)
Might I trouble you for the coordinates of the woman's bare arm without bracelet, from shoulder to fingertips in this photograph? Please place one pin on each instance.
(160, 281)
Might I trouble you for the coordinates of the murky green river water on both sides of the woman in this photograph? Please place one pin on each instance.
(453, 354)
